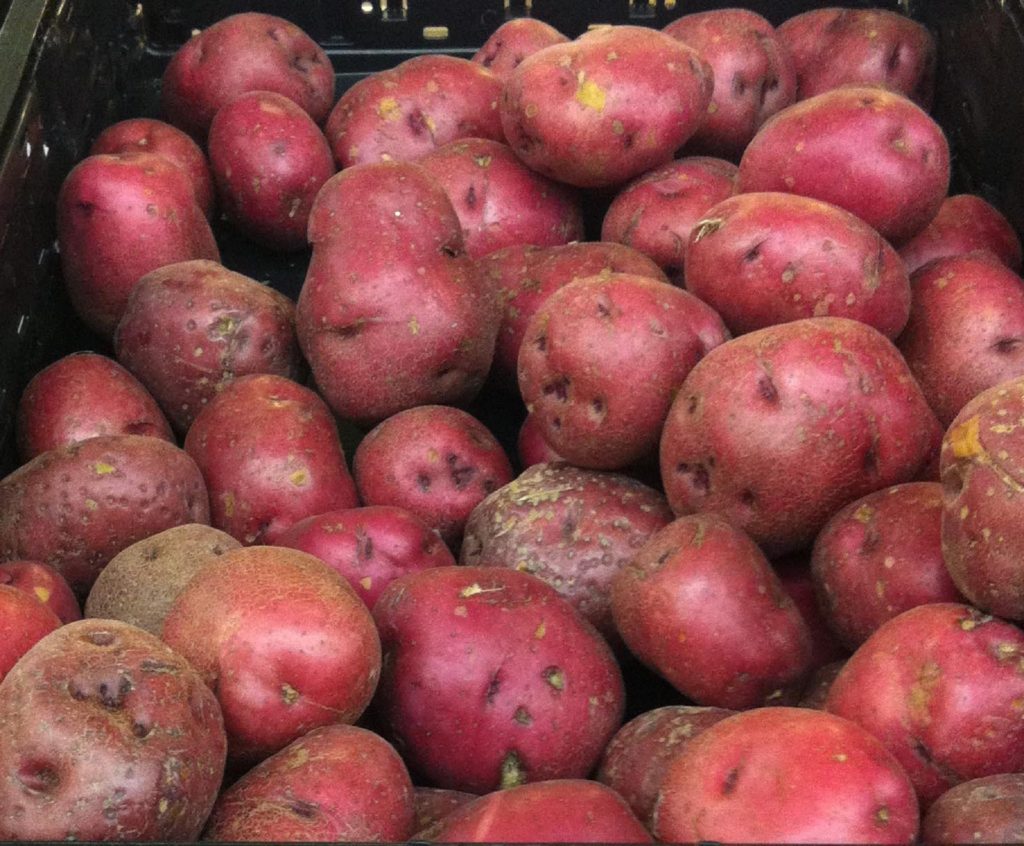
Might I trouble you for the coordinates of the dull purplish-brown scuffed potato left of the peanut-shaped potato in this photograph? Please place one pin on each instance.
(190, 329)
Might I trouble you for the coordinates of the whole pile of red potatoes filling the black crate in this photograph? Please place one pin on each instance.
(639, 459)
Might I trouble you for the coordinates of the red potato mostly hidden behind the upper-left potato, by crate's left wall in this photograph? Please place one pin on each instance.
(151, 136)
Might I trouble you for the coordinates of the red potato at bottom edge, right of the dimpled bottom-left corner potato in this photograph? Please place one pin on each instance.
(338, 783)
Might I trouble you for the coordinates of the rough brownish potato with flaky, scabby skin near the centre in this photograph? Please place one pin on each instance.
(572, 528)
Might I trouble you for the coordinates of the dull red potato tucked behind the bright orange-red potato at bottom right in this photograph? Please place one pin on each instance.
(635, 760)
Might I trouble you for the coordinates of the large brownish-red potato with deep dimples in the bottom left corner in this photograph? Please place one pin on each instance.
(107, 735)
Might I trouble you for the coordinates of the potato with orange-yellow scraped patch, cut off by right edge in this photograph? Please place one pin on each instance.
(983, 469)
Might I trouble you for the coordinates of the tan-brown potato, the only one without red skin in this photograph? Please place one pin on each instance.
(142, 582)
